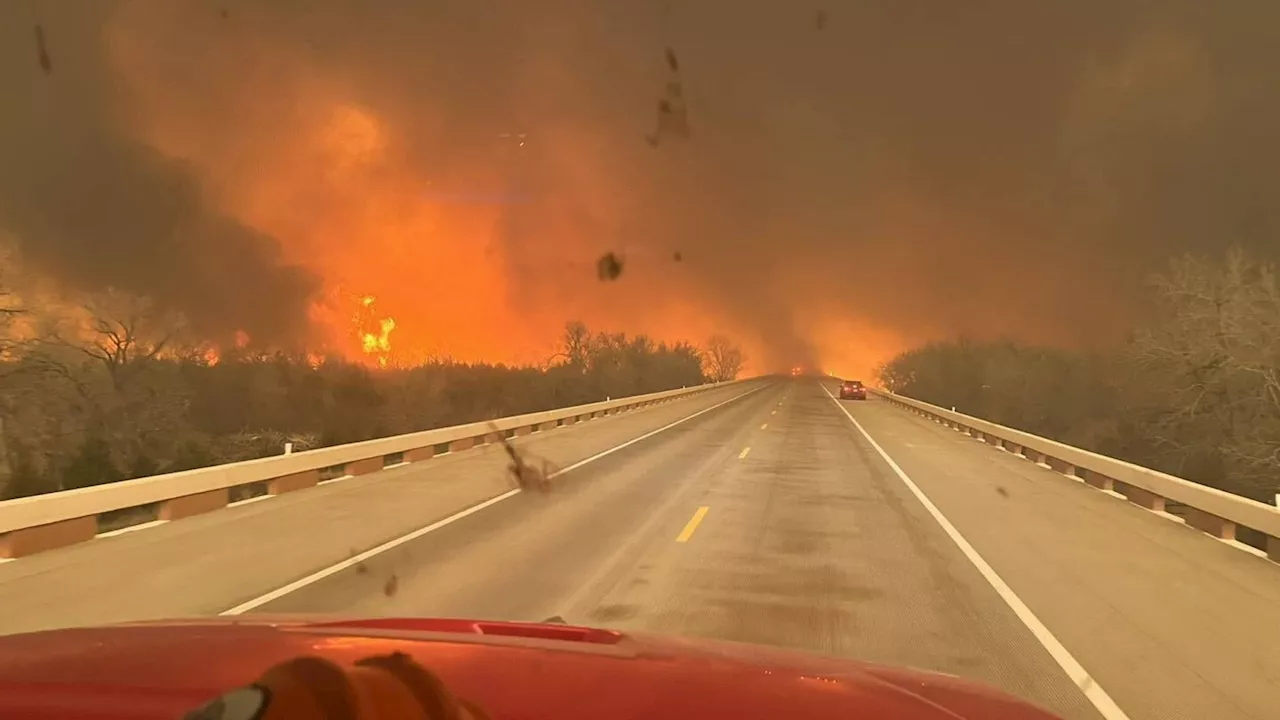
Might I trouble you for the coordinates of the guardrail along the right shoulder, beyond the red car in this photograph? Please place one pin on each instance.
(1212, 511)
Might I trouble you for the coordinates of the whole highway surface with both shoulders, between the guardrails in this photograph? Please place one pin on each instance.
(765, 513)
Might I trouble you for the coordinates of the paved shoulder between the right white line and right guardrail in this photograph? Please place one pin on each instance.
(1172, 623)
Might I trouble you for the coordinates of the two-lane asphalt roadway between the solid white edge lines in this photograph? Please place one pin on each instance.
(808, 541)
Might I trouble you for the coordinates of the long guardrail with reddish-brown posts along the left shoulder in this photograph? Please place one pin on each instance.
(45, 522)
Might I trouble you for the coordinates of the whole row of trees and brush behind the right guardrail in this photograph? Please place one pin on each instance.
(1195, 391)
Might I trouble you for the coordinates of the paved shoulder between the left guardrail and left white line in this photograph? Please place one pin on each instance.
(208, 564)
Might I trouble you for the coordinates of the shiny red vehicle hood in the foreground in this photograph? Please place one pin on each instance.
(515, 672)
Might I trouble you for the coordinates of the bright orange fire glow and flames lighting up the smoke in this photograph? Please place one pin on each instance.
(353, 192)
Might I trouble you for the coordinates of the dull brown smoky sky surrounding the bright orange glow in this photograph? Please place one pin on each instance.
(938, 168)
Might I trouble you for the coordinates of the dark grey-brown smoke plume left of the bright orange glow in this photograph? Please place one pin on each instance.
(93, 204)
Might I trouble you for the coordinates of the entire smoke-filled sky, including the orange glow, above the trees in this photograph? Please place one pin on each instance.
(843, 194)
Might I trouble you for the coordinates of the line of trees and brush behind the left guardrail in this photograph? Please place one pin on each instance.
(117, 390)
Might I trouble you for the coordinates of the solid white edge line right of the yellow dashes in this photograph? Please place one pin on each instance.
(1077, 673)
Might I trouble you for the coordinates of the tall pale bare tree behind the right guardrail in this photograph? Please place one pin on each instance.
(1215, 358)
